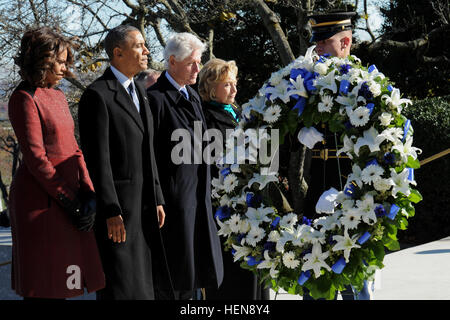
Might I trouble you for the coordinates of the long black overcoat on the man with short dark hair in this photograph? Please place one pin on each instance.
(117, 142)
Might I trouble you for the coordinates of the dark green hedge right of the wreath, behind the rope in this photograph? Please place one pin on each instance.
(430, 119)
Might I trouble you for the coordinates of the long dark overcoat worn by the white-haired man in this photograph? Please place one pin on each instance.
(190, 233)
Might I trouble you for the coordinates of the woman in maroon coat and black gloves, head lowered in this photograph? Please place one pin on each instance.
(55, 254)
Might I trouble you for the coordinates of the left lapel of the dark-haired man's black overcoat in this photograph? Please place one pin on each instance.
(122, 98)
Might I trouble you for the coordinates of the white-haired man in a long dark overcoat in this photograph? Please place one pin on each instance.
(190, 233)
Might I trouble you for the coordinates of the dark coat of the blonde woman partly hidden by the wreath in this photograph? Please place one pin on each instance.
(238, 283)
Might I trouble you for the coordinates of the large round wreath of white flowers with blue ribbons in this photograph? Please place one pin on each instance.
(346, 244)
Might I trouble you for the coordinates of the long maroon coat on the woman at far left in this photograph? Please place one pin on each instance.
(45, 242)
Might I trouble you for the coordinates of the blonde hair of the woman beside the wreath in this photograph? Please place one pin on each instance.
(213, 72)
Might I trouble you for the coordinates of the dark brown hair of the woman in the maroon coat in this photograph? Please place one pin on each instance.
(38, 51)
